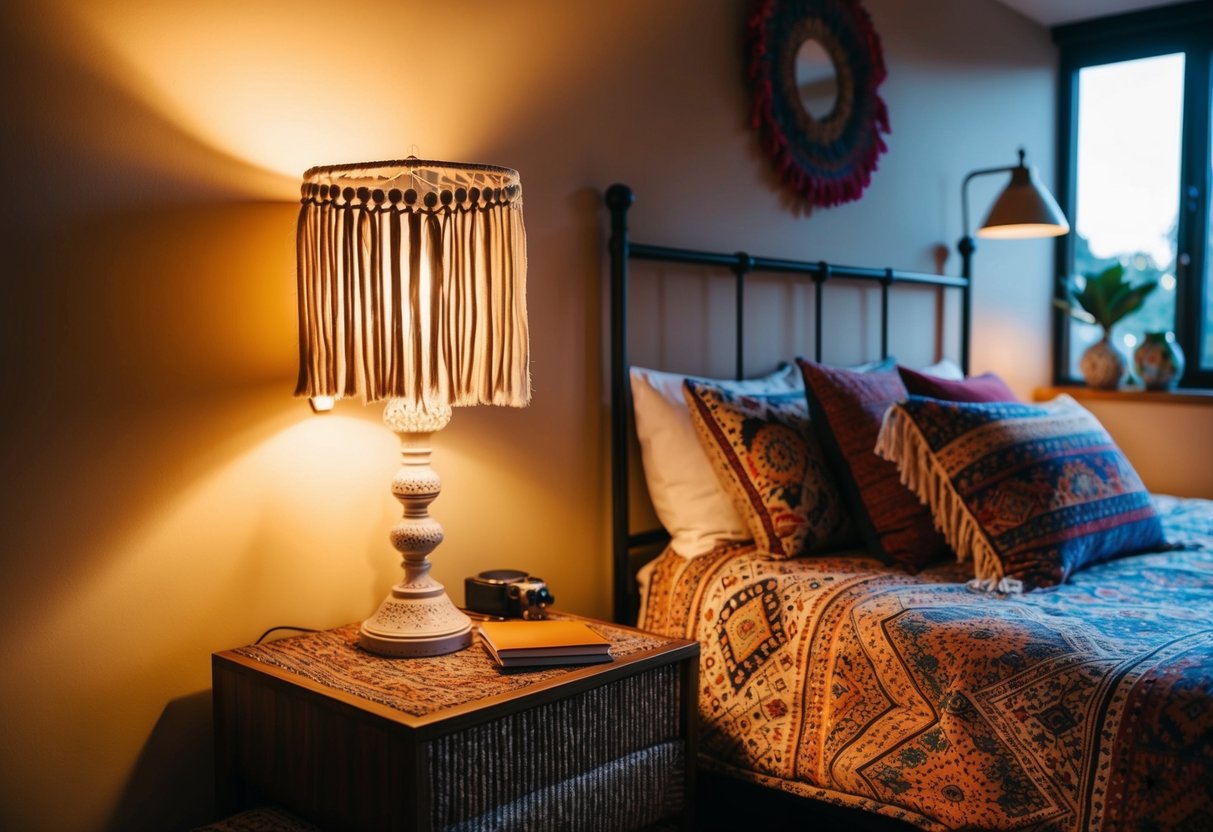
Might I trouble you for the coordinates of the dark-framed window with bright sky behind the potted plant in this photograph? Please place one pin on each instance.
(1136, 172)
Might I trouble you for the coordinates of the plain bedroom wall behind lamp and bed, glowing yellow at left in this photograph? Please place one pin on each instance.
(164, 497)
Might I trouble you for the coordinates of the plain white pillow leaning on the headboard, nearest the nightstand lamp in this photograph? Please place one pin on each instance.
(687, 495)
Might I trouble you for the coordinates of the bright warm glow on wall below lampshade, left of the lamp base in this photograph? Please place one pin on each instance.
(289, 515)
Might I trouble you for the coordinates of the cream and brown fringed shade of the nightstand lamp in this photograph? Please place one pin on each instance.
(413, 284)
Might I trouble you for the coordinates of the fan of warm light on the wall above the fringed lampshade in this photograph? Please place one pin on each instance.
(266, 83)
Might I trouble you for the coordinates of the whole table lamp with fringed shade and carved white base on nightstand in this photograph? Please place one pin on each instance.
(413, 289)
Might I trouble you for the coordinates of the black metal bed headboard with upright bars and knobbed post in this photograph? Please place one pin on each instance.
(627, 544)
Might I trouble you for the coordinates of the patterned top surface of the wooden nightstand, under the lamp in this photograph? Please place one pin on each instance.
(440, 694)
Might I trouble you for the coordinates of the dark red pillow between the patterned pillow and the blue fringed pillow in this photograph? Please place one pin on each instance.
(846, 409)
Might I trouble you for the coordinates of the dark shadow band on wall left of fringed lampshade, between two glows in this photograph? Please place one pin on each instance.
(151, 292)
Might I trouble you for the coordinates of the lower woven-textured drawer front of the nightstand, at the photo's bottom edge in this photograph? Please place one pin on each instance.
(627, 794)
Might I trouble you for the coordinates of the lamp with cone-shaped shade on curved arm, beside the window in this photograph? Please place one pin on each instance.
(1026, 209)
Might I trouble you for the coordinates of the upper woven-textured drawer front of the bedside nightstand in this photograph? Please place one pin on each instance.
(494, 765)
